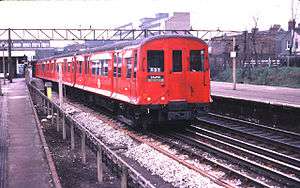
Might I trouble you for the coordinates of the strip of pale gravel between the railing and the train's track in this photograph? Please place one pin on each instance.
(158, 164)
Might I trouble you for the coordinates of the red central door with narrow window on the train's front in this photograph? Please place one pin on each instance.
(176, 77)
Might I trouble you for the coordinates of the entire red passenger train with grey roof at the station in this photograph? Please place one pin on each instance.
(156, 79)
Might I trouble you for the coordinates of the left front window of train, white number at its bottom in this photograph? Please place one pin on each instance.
(155, 59)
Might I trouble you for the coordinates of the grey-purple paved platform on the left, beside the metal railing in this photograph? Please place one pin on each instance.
(23, 162)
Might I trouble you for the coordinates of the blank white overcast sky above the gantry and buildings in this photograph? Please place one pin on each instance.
(205, 14)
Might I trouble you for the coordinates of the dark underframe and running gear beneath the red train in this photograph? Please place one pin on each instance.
(143, 116)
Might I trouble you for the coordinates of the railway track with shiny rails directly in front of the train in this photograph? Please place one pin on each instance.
(233, 160)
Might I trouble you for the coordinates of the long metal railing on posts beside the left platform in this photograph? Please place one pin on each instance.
(48, 107)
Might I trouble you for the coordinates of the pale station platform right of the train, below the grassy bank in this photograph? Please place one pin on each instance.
(281, 96)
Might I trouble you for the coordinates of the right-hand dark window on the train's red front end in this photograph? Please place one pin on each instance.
(196, 60)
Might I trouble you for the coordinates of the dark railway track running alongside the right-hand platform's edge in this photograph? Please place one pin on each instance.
(284, 144)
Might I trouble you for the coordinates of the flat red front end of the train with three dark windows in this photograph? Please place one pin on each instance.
(175, 80)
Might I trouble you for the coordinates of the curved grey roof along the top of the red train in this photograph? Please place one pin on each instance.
(122, 44)
